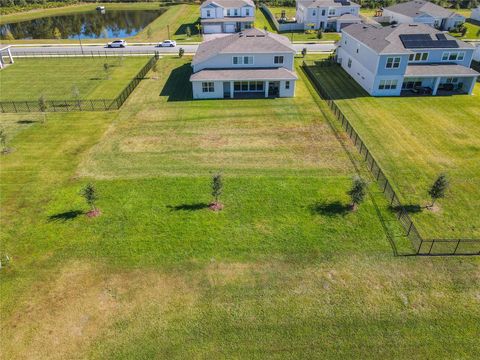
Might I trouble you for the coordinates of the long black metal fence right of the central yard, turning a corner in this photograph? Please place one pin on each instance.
(422, 246)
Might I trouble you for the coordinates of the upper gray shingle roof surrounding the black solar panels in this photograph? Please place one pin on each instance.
(386, 40)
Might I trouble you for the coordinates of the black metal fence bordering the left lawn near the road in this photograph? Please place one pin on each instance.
(78, 105)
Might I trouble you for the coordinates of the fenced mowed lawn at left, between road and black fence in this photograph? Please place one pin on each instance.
(68, 78)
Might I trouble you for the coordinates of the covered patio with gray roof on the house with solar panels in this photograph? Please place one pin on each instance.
(438, 79)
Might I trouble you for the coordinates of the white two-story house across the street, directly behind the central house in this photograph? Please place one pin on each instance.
(226, 16)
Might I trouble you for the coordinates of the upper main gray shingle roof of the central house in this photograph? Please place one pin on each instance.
(251, 41)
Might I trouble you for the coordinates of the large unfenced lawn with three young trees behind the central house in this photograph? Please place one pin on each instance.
(284, 271)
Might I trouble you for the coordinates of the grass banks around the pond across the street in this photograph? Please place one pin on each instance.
(173, 22)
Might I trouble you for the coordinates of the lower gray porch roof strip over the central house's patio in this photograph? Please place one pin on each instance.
(243, 74)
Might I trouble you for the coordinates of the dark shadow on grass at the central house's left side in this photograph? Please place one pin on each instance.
(178, 86)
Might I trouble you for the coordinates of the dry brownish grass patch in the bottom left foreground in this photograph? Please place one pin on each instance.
(80, 303)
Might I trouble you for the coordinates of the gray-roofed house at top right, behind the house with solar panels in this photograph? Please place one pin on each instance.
(423, 12)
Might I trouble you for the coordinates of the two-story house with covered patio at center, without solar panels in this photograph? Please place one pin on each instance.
(252, 63)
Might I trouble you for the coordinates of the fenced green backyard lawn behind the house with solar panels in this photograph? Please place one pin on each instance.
(415, 139)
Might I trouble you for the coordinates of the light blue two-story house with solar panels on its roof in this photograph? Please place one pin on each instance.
(406, 59)
